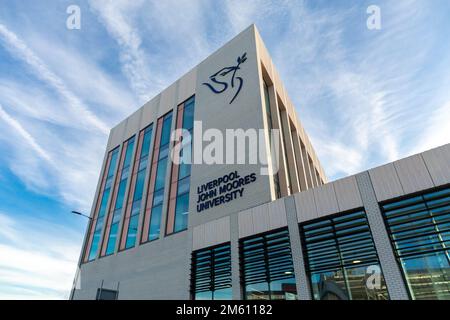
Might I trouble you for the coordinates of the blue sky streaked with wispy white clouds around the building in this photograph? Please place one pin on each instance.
(366, 97)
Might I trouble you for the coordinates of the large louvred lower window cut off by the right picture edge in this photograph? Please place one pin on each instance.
(419, 229)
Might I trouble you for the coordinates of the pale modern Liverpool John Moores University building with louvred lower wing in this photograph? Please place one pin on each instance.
(167, 230)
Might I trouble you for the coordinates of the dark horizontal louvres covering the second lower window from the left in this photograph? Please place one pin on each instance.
(266, 258)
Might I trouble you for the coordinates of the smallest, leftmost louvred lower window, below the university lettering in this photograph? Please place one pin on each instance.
(211, 273)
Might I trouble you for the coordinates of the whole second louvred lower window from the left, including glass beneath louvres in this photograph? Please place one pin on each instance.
(267, 271)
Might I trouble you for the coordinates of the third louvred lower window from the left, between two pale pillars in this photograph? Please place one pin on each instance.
(341, 259)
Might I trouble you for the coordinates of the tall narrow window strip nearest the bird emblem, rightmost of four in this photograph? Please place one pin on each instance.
(178, 210)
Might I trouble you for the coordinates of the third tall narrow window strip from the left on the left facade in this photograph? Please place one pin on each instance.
(155, 195)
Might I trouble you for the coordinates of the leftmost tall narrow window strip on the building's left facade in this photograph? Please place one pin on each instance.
(101, 206)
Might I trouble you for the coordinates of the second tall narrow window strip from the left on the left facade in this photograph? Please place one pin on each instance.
(134, 203)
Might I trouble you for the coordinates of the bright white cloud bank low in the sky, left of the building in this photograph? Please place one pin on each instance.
(38, 259)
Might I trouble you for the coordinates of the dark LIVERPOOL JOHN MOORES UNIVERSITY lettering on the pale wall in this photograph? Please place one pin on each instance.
(222, 190)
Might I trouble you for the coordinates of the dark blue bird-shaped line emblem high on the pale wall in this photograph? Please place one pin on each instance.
(221, 80)
